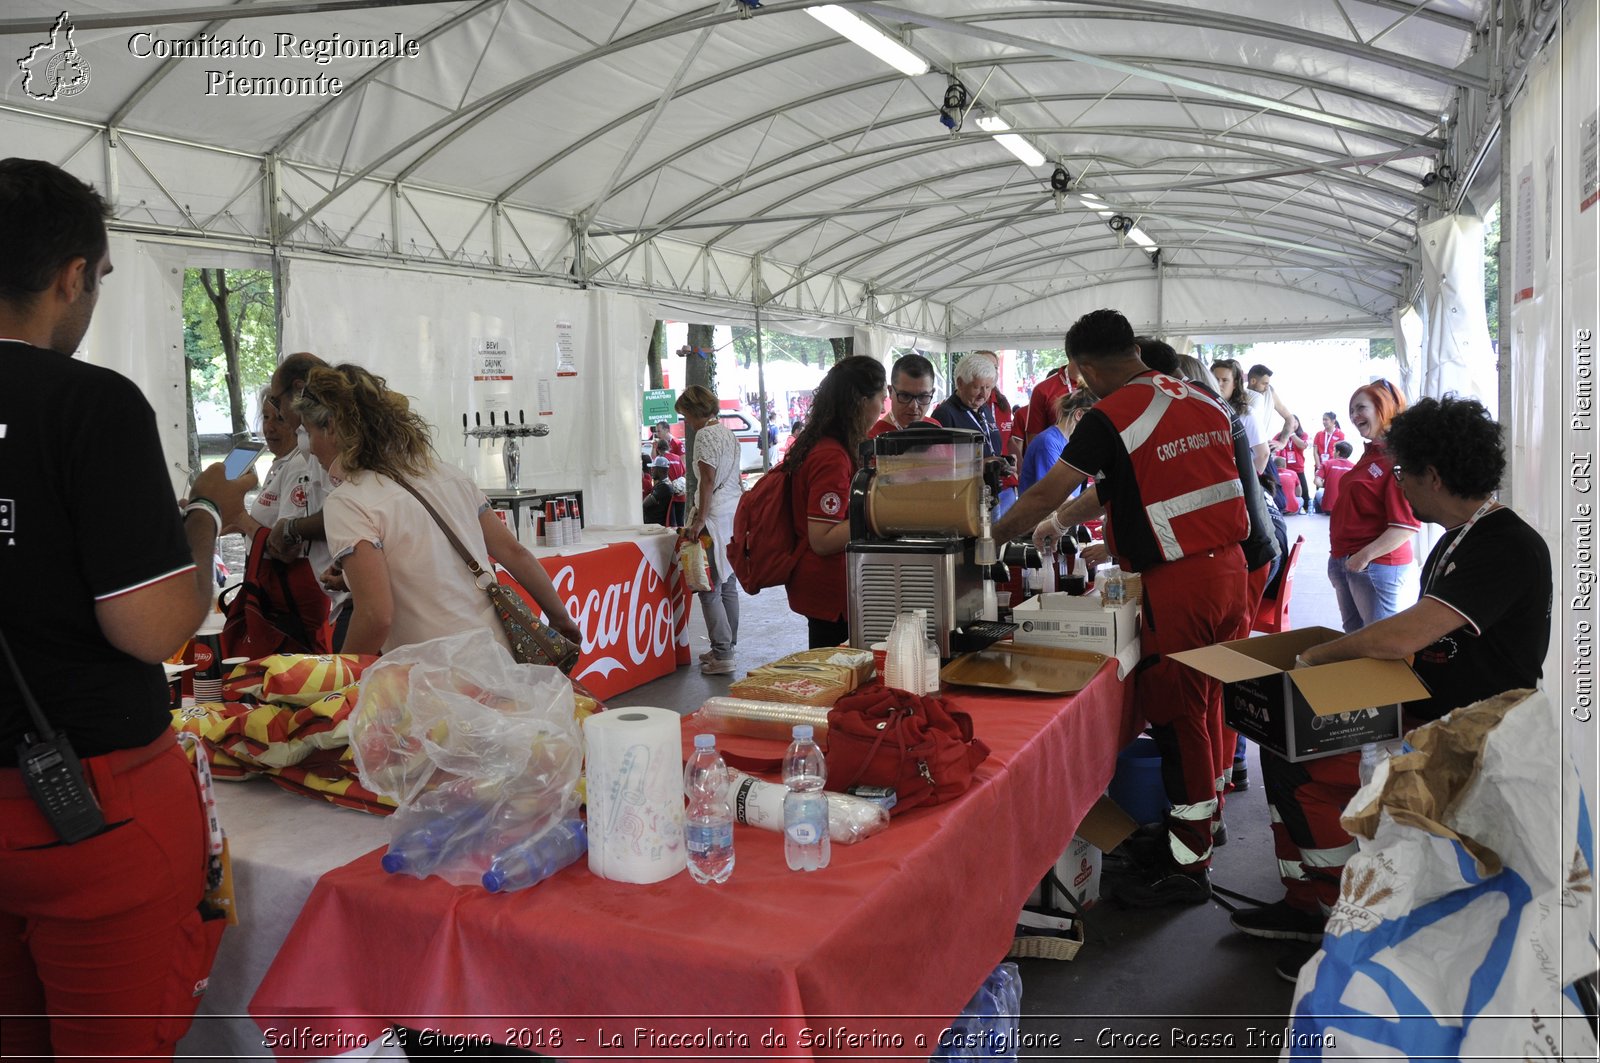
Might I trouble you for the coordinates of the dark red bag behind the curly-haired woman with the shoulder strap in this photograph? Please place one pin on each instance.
(278, 609)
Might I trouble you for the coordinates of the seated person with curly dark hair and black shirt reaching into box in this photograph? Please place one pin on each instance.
(1474, 635)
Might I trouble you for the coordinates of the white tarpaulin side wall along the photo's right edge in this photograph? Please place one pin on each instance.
(1553, 319)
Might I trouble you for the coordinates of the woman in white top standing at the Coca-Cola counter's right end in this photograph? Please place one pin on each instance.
(716, 497)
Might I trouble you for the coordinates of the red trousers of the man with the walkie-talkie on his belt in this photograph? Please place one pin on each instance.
(103, 950)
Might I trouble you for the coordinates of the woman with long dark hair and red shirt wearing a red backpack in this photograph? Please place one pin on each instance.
(822, 463)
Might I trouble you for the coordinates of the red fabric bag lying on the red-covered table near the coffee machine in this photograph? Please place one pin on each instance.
(918, 747)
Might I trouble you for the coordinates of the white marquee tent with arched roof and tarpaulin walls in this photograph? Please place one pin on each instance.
(551, 174)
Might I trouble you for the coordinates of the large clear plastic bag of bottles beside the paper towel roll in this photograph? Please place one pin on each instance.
(478, 750)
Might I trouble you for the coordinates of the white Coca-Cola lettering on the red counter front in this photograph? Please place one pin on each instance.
(631, 616)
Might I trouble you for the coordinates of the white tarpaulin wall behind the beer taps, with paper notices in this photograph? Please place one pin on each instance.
(425, 334)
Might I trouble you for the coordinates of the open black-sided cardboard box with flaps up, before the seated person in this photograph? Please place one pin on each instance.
(1306, 713)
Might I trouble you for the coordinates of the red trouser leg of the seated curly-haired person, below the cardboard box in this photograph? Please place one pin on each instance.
(1306, 801)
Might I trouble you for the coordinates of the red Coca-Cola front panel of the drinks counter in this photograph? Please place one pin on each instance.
(631, 604)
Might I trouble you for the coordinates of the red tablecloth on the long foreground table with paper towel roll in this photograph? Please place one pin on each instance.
(890, 941)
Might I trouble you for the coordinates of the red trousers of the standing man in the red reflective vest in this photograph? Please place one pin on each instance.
(1188, 604)
